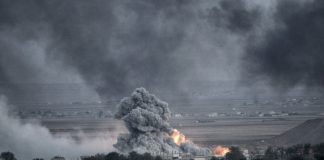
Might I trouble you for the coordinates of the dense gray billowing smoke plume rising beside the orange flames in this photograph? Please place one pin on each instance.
(147, 120)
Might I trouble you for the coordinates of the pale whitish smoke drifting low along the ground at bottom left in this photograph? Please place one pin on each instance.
(31, 140)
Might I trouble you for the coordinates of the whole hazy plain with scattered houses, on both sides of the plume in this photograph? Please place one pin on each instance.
(214, 118)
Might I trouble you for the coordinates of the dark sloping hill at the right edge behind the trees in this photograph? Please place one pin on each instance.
(311, 131)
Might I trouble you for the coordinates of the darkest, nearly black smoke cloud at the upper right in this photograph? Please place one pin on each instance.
(292, 53)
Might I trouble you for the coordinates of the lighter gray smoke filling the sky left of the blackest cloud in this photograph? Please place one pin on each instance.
(115, 46)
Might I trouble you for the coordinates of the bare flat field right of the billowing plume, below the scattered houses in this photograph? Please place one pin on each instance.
(233, 131)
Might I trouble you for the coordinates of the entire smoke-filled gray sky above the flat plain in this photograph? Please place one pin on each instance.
(116, 46)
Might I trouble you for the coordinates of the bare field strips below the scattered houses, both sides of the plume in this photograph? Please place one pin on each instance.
(201, 130)
